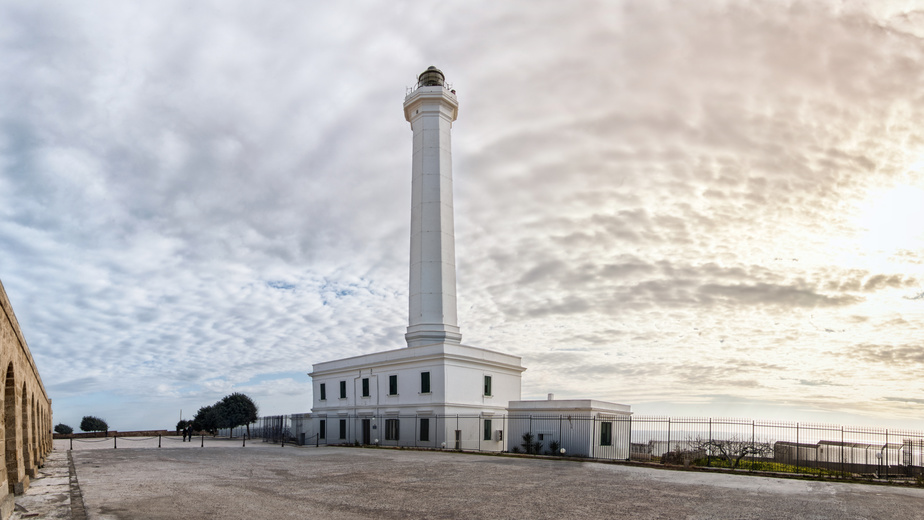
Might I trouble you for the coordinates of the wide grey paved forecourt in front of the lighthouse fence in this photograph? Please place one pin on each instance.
(225, 481)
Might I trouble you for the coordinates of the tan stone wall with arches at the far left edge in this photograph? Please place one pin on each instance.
(26, 432)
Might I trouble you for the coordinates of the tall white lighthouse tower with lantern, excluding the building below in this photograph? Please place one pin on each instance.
(431, 109)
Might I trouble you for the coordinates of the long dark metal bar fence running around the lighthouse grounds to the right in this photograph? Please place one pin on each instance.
(743, 444)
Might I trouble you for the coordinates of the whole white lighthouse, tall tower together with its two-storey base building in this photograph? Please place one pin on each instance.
(436, 392)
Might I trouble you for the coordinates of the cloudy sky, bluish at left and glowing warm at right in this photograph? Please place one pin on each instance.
(706, 208)
